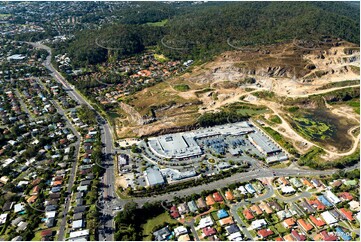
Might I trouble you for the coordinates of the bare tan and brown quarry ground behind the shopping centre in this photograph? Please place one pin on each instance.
(288, 70)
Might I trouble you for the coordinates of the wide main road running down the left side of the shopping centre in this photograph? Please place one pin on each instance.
(108, 193)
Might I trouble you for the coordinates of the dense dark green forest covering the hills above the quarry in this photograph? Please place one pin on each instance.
(203, 30)
